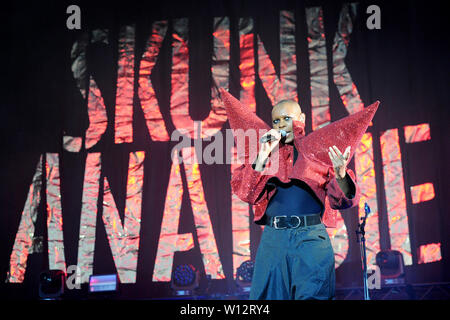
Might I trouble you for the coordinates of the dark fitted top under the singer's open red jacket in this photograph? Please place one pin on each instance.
(292, 198)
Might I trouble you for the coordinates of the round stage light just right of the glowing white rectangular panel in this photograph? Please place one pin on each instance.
(185, 279)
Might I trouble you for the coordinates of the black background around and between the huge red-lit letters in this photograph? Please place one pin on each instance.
(404, 65)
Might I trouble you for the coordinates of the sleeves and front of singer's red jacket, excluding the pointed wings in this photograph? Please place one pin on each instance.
(251, 186)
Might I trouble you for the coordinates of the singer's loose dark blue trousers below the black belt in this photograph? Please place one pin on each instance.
(294, 264)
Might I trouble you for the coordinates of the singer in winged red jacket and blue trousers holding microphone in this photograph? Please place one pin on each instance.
(295, 258)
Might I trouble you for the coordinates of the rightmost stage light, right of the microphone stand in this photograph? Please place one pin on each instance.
(392, 267)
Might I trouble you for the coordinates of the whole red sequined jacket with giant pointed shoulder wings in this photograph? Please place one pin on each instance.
(313, 165)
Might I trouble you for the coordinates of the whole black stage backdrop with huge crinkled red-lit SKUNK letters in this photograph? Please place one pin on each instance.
(91, 117)
